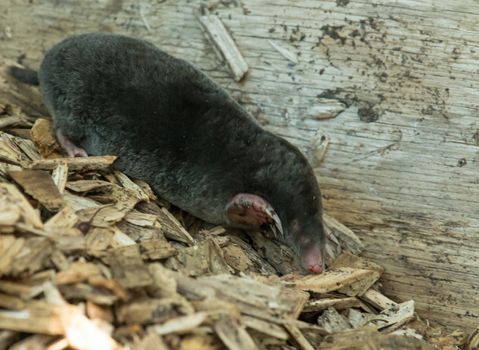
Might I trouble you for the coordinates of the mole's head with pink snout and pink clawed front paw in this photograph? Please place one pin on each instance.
(289, 200)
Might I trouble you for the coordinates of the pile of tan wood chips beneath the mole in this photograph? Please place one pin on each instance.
(91, 259)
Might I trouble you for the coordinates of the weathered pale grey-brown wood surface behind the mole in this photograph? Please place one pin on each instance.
(402, 165)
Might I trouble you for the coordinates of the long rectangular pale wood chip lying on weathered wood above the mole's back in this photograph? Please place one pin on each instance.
(225, 45)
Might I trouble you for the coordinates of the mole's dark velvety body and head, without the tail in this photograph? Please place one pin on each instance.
(172, 126)
